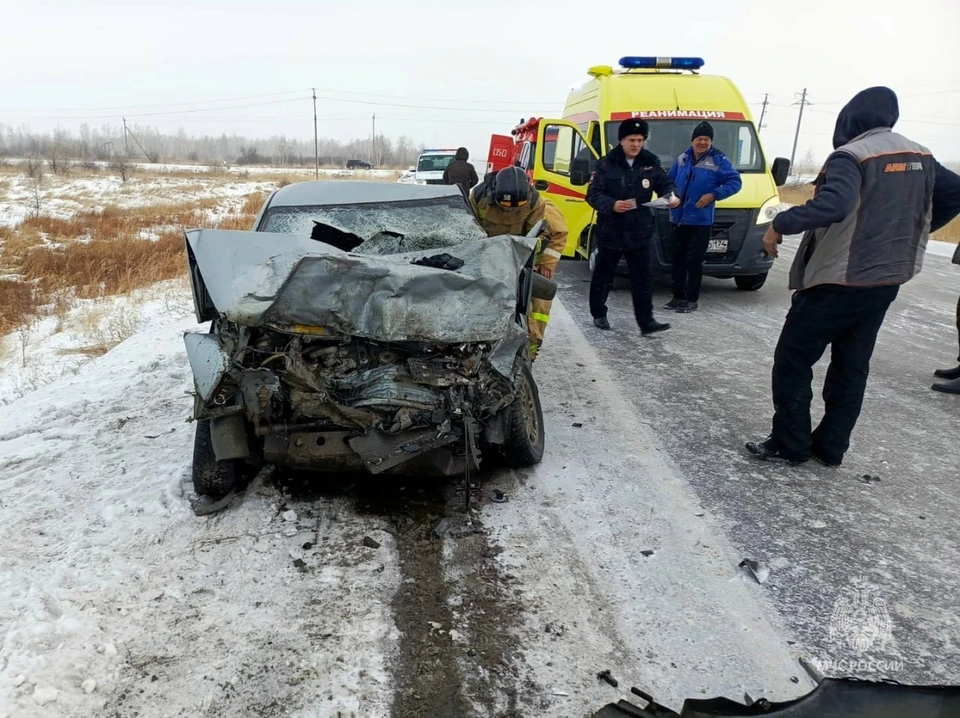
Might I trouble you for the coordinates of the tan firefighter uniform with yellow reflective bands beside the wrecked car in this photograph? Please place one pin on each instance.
(497, 220)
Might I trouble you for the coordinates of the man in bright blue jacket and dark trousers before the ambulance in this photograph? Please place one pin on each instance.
(703, 176)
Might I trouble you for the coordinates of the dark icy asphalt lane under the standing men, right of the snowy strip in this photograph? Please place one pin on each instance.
(831, 540)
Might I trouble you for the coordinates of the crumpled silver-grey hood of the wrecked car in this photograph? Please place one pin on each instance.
(263, 278)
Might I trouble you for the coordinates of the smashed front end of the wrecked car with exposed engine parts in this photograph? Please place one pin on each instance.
(315, 400)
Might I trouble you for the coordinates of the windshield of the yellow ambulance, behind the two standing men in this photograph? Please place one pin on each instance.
(669, 138)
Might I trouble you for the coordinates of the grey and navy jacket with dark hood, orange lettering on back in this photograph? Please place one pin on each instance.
(875, 202)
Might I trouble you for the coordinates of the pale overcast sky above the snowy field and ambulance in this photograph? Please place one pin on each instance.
(450, 73)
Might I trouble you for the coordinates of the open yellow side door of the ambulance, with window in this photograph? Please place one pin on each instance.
(558, 144)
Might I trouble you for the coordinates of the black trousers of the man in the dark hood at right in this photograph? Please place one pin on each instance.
(847, 319)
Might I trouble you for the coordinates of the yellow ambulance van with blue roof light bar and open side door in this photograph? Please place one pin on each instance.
(673, 97)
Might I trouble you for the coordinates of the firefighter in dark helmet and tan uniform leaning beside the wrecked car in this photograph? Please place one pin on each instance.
(506, 203)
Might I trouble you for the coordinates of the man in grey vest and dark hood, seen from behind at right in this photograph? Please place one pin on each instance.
(875, 202)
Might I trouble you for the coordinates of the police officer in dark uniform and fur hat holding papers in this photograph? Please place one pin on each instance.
(624, 179)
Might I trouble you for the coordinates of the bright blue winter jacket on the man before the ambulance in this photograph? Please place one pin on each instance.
(713, 174)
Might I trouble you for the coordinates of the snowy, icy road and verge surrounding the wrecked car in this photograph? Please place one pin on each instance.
(618, 552)
